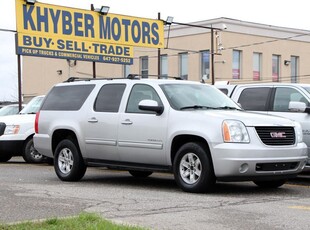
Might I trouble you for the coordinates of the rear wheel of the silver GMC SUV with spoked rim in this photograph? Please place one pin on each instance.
(68, 162)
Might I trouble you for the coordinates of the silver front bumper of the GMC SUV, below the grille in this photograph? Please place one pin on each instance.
(241, 162)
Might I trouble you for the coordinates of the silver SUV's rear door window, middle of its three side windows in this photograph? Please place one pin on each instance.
(109, 98)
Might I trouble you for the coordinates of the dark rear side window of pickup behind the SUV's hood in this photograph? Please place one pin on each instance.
(255, 99)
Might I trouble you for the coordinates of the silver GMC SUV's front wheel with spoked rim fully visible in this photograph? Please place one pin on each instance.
(193, 169)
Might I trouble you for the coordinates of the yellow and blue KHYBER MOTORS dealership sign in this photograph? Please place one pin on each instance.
(61, 32)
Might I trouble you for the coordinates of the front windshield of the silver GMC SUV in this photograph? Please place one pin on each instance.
(196, 96)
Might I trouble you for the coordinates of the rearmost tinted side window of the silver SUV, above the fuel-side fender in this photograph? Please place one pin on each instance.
(69, 98)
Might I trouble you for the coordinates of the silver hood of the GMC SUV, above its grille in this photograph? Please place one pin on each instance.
(249, 119)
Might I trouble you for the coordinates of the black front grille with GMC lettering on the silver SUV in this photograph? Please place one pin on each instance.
(276, 135)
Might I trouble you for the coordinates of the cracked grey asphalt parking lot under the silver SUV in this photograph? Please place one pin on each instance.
(33, 191)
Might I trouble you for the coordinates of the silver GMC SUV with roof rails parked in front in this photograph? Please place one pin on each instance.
(145, 125)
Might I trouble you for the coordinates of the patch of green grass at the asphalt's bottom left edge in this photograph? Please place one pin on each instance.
(87, 221)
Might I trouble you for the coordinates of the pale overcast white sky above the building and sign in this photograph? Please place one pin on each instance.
(281, 13)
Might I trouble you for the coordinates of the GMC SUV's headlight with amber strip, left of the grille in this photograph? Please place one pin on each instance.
(235, 131)
